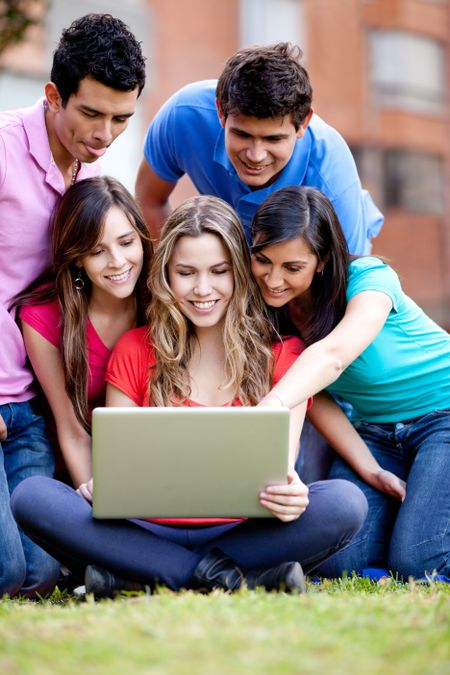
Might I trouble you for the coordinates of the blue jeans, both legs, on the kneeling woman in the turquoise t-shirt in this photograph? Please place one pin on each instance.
(412, 538)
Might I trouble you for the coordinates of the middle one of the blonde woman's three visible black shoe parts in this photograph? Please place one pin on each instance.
(216, 570)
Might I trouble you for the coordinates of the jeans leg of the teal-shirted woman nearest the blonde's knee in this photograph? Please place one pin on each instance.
(369, 548)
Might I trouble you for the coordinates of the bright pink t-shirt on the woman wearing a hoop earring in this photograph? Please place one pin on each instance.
(46, 320)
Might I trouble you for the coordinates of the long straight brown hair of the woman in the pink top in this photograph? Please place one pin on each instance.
(77, 227)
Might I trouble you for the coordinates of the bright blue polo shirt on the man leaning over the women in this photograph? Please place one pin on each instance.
(186, 137)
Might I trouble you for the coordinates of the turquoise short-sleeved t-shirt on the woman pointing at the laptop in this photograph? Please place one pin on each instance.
(405, 372)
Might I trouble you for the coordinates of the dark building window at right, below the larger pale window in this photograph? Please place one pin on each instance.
(413, 181)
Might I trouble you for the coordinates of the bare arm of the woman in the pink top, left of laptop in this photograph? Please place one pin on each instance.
(74, 441)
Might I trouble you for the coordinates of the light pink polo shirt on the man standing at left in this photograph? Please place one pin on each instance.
(30, 184)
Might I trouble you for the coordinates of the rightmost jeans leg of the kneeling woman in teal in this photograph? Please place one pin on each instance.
(421, 537)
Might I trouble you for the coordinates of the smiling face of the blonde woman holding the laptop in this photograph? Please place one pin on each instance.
(201, 279)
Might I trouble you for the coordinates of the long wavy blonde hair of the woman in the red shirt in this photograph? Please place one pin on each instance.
(246, 329)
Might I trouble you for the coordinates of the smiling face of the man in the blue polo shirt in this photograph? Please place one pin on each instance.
(259, 149)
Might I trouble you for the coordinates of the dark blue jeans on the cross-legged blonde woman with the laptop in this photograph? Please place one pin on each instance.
(61, 521)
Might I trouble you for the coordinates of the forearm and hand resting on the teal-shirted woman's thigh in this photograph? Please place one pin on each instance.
(330, 421)
